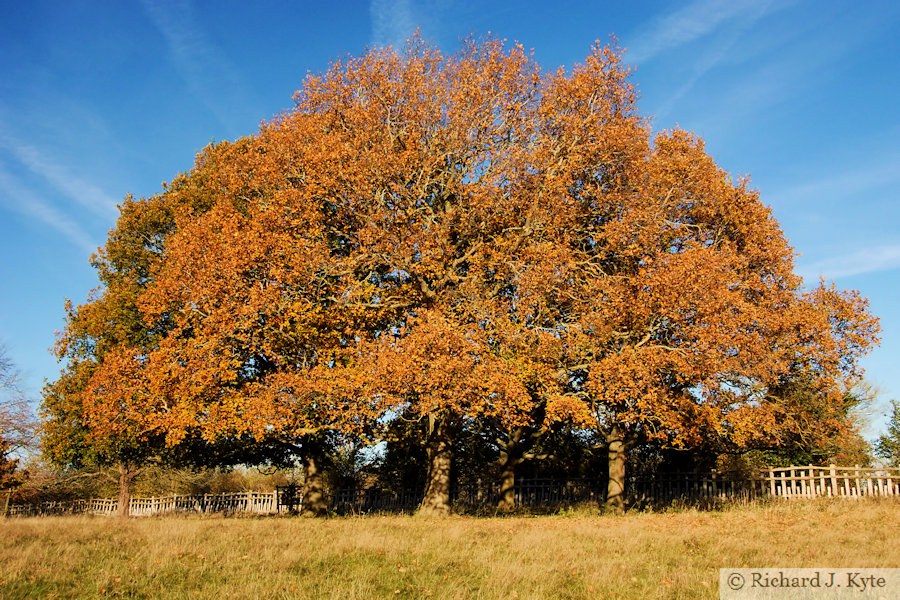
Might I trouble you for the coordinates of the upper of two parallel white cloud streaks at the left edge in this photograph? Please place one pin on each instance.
(83, 192)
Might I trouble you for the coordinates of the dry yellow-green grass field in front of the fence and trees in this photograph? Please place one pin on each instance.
(674, 555)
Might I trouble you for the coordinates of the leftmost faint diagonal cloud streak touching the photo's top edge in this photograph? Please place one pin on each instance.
(202, 64)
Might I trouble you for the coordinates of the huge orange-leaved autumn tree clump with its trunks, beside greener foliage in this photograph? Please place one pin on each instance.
(465, 239)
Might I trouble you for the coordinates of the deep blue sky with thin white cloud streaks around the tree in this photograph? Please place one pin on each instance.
(103, 98)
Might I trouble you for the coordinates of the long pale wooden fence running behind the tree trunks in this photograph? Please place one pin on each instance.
(786, 482)
